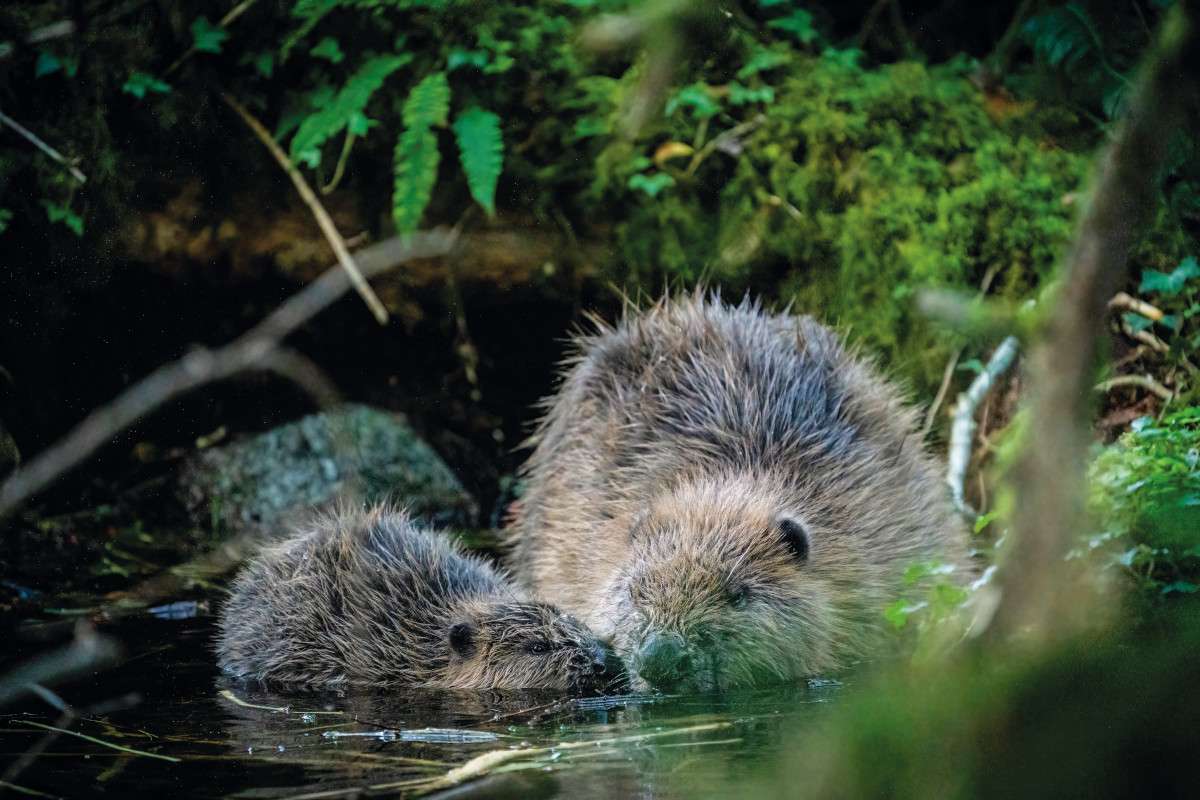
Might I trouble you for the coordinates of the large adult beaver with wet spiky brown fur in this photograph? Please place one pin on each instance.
(730, 496)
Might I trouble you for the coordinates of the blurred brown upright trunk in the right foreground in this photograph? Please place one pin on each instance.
(1049, 477)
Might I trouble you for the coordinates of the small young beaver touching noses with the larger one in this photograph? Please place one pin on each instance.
(368, 599)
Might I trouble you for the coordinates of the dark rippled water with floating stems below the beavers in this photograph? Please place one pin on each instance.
(169, 700)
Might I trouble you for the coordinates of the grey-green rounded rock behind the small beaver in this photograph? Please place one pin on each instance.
(355, 453)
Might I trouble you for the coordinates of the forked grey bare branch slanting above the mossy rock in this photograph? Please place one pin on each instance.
(256, 350)
